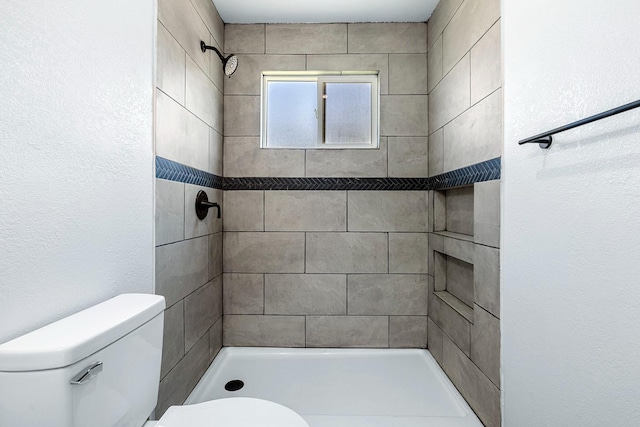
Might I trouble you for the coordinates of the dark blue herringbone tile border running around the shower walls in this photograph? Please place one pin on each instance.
(484, 171)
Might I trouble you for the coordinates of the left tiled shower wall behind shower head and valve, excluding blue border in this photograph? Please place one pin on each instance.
(189, 129)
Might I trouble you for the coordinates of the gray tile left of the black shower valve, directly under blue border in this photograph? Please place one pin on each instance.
(169, 211)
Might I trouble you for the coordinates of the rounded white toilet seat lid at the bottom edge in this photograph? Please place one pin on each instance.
(233, 411)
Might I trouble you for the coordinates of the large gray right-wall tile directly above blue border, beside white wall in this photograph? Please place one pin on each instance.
(476, 135)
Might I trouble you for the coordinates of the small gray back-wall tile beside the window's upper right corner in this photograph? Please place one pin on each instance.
(408, 74)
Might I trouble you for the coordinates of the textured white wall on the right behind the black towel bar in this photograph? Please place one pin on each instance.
(571, 215)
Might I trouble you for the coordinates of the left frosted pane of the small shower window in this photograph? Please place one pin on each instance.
(291, 119)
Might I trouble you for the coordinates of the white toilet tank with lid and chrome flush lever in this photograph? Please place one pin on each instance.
(111, 353)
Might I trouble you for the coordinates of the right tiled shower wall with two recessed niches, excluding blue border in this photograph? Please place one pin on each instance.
(465, 127)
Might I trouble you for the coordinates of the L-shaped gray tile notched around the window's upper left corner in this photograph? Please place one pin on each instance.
(247, 80)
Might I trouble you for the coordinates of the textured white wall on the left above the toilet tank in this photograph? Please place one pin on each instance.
(76, 156)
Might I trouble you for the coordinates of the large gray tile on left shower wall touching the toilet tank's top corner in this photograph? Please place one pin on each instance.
(181, 268)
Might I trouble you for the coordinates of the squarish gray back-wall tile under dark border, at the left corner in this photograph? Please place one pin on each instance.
(244, 211)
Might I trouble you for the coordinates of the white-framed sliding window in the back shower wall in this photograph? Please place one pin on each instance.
(319, 110)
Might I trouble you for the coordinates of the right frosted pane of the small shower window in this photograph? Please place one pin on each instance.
(347, 113)
